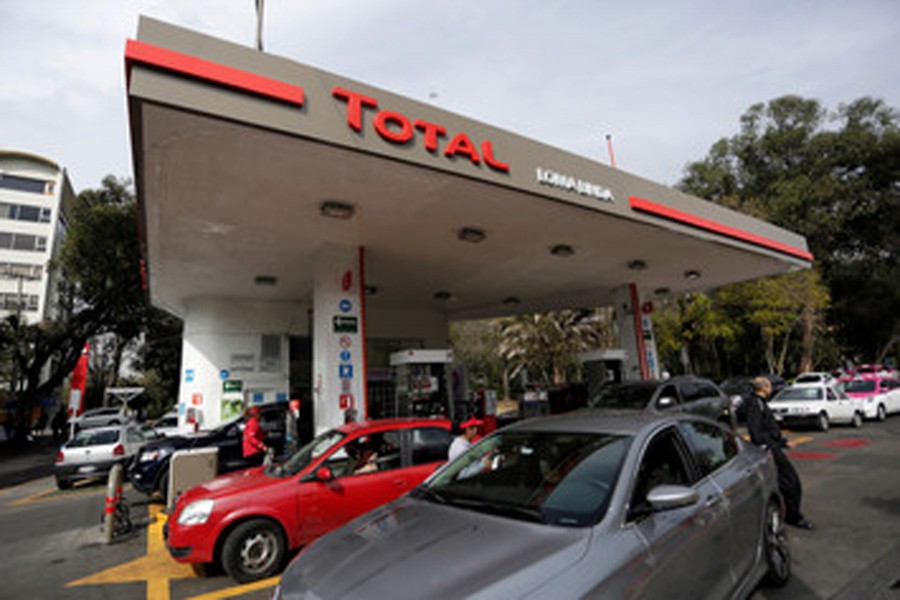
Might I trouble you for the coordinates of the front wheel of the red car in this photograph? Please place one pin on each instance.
(253, 550)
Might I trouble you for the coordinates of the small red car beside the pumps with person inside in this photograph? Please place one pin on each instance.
(248, 520)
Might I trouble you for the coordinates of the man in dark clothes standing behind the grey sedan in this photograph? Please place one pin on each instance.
(764, 432)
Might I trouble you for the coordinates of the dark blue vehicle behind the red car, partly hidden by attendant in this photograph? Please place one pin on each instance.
(150, 471)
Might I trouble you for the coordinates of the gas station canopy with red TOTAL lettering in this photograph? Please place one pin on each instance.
(247, 164)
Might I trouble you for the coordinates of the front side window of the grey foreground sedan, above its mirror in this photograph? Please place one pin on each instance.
(662, 463)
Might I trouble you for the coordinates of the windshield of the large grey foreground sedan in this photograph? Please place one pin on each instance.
(548, 477)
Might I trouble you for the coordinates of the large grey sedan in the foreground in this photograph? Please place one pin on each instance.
(591, 504)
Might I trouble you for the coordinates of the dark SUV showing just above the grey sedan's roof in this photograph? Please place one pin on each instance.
(680, 394)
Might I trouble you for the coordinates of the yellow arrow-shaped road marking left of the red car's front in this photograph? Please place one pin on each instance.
(156, 568)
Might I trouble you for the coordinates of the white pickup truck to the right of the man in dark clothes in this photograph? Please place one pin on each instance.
(816, 404)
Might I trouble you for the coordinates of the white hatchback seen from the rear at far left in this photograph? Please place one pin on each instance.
(91, 453)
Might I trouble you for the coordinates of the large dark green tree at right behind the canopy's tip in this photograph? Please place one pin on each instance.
(839, 187)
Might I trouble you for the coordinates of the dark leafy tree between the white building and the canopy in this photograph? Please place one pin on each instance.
(103, 293)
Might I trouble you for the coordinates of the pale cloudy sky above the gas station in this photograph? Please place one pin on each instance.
(665, 78)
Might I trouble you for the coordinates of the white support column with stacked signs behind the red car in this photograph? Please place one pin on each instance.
(339, 368)
